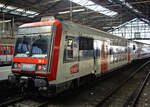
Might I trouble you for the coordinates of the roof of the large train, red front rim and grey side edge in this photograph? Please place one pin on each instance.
(76, 26)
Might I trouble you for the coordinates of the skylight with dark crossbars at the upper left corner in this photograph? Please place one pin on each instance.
(17, 11)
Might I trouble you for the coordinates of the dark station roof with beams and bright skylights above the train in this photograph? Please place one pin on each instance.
(100, 14)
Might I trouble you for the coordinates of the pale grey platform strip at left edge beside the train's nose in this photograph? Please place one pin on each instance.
(4, 71)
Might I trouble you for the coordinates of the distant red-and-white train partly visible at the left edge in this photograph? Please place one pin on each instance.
(6, 53)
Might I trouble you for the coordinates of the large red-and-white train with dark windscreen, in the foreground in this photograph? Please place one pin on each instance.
(54, 55)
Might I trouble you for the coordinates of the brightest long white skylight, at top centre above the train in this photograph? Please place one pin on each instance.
(95, 7)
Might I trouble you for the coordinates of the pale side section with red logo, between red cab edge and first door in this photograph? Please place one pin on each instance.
(73, 62)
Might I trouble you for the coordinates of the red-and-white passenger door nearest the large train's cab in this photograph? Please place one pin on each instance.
(104, 57)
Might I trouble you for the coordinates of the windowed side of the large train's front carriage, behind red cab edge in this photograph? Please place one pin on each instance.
(75, 62)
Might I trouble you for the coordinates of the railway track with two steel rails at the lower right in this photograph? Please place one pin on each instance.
(127, 93)
